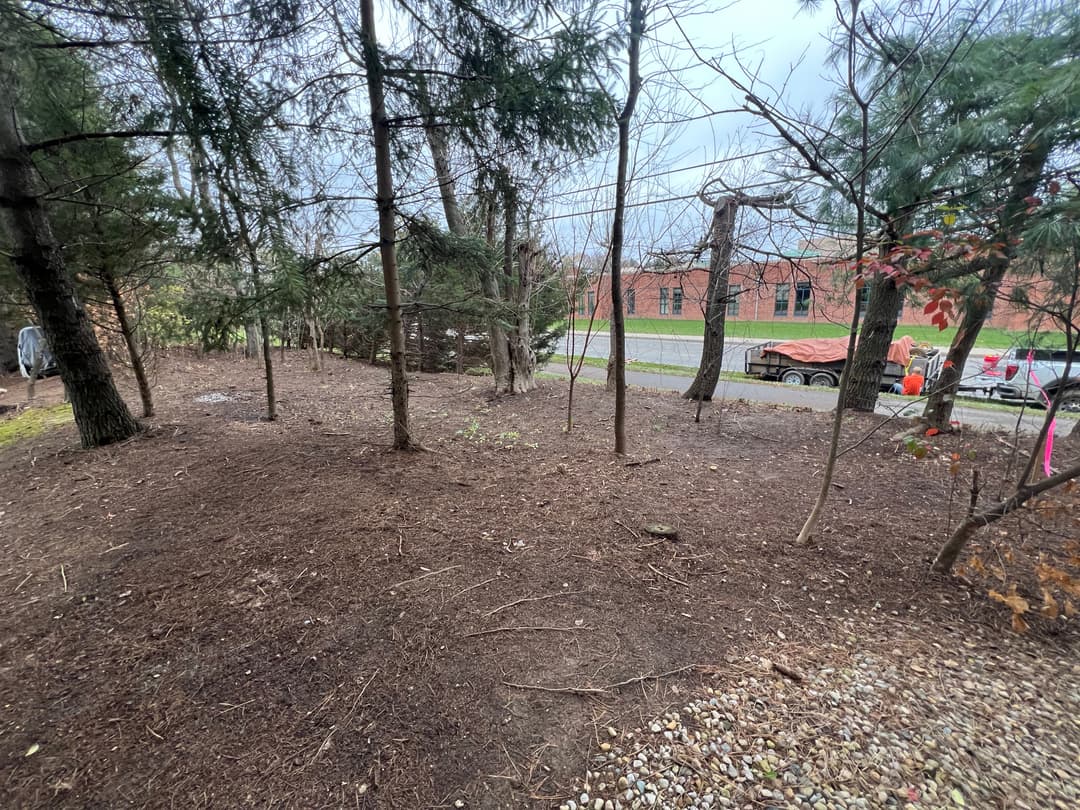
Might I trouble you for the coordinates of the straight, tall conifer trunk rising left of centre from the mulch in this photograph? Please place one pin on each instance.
(385, 204)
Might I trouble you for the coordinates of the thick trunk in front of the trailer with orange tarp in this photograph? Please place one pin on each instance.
(880, 325)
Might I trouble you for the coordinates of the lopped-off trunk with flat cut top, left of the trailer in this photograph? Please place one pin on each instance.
(722, 245)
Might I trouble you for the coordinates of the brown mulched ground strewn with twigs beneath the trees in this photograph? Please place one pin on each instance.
(231, 613)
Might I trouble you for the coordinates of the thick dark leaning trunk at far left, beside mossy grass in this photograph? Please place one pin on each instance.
(101, 414)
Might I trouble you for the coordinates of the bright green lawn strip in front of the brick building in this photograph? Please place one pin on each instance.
(989, 339)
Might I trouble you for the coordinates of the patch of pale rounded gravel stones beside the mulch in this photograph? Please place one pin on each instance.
(904, 723)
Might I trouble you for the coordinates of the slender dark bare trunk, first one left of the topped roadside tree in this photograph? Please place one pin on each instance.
(619, 325)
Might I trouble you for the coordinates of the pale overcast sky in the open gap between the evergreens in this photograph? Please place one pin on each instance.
(684, 126)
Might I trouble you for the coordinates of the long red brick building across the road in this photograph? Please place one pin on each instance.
(790, 290)
